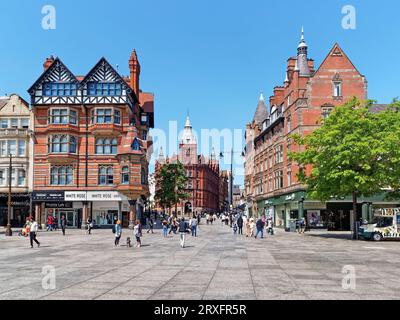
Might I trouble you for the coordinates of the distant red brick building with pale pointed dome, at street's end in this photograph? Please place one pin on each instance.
(203, 175)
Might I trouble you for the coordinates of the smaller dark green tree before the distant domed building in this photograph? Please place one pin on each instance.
(171, 185)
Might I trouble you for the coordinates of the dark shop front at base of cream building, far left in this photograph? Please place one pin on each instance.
(20, 209)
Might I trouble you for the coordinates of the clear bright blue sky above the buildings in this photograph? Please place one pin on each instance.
(209, 57)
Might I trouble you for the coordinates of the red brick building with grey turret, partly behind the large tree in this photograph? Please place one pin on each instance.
(307, 95)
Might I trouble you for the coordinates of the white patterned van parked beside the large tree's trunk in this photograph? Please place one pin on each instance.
(385, 225)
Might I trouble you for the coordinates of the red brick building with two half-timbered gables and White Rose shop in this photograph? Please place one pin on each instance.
(91, 144)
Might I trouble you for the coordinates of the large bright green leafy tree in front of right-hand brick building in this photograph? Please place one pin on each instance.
(352, 153)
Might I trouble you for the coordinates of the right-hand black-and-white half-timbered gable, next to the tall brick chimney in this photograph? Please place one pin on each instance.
(103, 85)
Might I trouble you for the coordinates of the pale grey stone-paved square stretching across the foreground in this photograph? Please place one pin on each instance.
(216, 265)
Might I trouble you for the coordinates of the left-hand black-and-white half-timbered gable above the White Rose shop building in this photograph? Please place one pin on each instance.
(57, 85)
